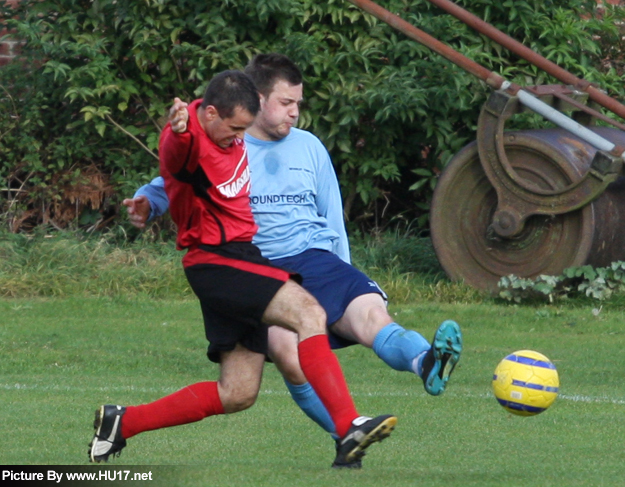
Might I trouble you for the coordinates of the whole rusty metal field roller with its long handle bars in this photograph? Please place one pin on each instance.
(526, 202)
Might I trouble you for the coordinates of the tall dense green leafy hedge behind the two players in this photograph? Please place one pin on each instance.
(96, 77)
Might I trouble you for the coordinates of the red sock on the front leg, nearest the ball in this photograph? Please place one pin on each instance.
(323, 371)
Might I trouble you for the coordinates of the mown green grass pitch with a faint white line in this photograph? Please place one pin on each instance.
(61, 358)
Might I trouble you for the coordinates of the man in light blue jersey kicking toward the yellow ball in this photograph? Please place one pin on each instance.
(297, 205)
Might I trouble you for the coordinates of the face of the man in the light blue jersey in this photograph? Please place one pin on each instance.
(279, 111)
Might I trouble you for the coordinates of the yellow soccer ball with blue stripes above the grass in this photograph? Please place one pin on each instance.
(526, 383)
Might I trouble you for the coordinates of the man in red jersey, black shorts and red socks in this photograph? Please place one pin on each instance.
(204, 165)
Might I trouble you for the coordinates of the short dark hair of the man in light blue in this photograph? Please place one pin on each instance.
(266, 69)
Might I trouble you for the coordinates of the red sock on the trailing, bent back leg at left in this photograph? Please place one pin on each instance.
(188, 405)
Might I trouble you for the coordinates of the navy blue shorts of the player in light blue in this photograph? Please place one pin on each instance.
(333, 282)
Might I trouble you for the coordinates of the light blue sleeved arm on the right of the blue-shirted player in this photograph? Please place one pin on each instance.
(330, 204)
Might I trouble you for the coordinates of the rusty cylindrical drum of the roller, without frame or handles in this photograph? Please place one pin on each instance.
(547, 160)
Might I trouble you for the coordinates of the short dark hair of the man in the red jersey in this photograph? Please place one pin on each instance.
(230, 89)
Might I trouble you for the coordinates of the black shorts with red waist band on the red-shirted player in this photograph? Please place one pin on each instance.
(234, 284)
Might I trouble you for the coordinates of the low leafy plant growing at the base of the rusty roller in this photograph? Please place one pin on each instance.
(596, 283)
